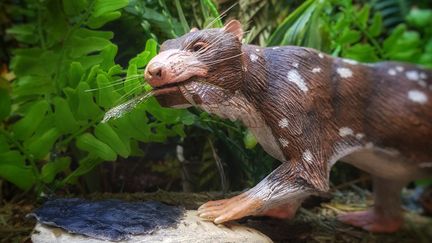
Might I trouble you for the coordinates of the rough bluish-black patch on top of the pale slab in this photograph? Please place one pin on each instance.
(113, 220)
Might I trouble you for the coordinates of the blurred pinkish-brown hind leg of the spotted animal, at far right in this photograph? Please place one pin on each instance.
(386, 214)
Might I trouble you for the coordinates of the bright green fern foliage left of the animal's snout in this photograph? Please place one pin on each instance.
(50, 121)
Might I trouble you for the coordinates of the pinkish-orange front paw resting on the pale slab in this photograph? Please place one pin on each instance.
(230, 209)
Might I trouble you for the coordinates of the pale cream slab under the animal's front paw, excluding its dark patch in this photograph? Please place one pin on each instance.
(191, 228)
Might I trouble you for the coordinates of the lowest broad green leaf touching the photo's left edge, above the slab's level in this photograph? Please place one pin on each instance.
(20, 176)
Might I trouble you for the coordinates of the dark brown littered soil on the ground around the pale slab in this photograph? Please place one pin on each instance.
(315, 221)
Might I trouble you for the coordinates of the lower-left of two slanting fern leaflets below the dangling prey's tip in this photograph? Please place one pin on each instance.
(89, 143)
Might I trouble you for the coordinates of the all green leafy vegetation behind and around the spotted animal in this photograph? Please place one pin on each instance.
(66, 62)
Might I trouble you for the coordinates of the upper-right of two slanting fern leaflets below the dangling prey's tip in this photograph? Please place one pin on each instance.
(106, 134)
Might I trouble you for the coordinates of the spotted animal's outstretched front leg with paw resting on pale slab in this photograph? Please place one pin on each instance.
(284, 187)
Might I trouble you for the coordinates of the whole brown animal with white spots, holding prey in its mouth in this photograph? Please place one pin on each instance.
(308, 110)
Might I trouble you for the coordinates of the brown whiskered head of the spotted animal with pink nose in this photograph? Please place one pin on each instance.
(200, 67)
